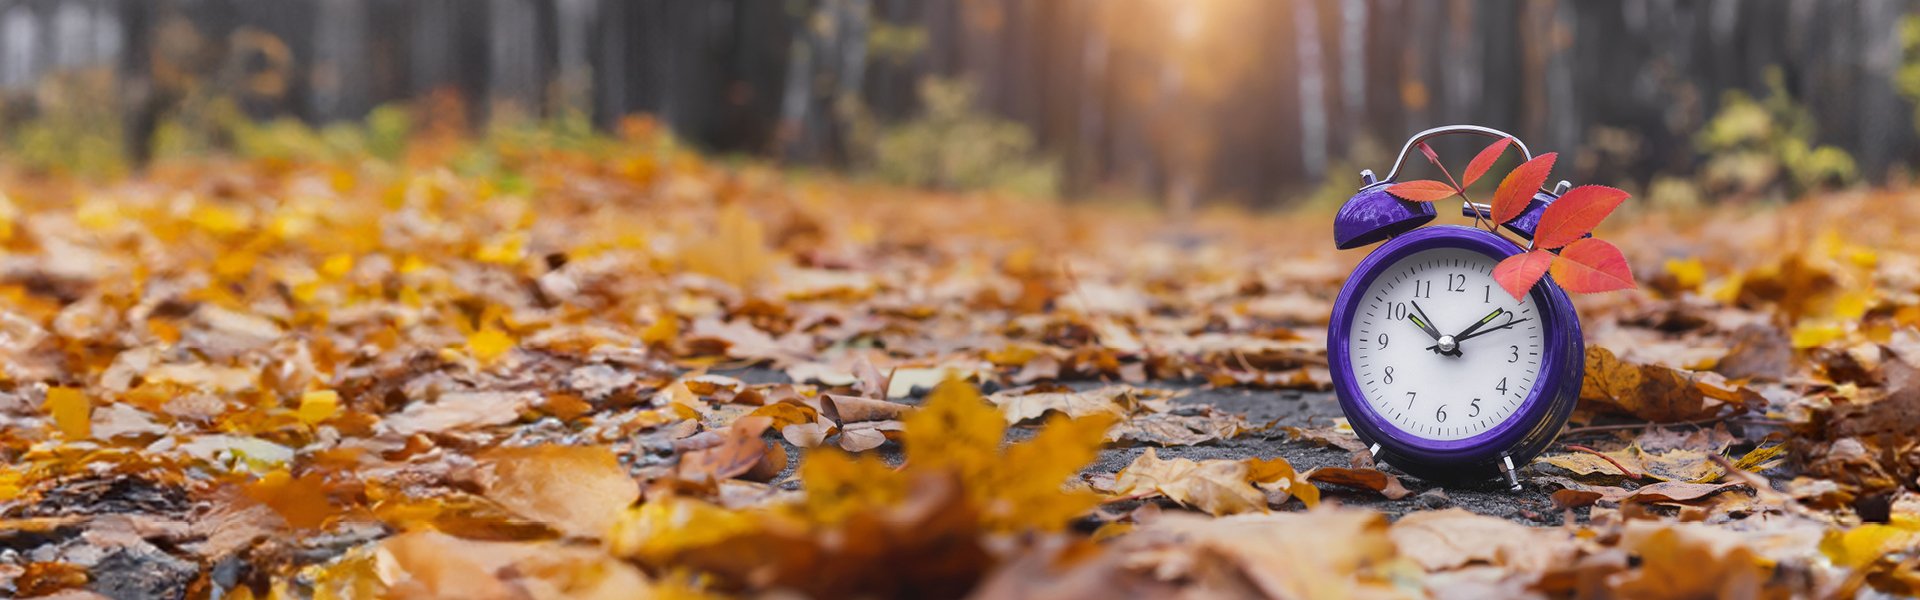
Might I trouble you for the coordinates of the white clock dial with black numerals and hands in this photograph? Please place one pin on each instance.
(1441, 351)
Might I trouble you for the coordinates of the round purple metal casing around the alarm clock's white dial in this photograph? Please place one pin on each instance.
(1524, 436)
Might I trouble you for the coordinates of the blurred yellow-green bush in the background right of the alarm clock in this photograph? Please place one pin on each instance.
(1758, 145)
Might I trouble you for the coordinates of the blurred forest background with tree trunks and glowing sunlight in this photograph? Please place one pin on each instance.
(1180, 103)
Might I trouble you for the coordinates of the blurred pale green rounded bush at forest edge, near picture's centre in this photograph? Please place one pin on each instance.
(957, 147)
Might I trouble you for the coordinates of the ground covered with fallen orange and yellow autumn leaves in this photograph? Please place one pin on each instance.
(512, 370)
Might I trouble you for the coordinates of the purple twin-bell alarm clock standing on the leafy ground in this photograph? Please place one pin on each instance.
(1441, 372)
